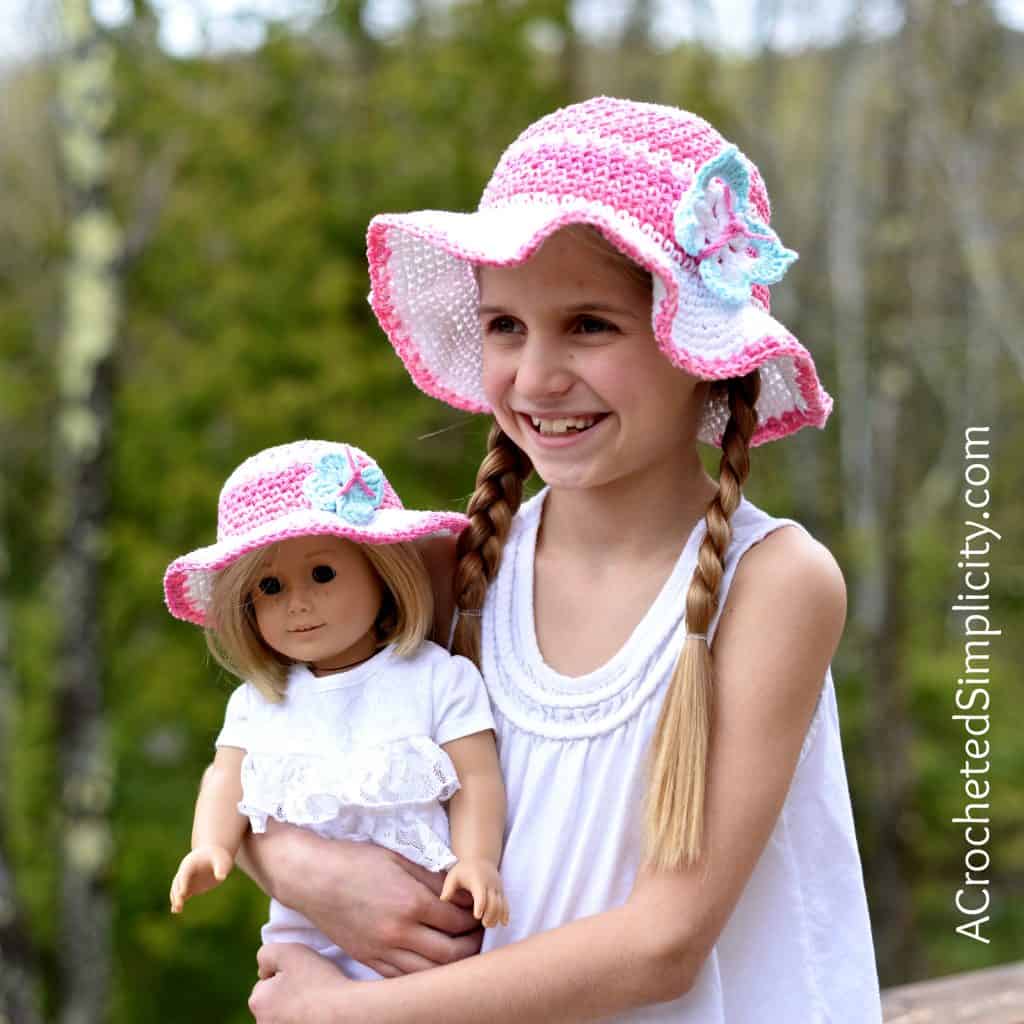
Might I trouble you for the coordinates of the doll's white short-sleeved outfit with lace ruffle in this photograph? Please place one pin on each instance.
(358, 756)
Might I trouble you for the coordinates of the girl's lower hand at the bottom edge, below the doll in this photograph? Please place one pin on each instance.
(298, 987)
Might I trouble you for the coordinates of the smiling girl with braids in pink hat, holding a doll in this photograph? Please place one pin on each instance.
(680, 844)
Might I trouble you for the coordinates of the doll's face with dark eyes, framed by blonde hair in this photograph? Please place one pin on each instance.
(317, 600)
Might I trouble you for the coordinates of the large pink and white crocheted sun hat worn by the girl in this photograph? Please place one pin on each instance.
(665, 188)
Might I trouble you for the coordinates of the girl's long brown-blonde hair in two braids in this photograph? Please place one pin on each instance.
(674, 805)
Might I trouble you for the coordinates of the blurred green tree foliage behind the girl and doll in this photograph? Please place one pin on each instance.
(245, 184)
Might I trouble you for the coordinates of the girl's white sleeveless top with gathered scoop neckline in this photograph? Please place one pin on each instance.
(798, 947)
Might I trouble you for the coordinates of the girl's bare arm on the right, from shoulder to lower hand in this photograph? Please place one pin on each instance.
(779, 631)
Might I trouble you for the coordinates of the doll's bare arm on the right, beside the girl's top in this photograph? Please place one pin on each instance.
(477, 817)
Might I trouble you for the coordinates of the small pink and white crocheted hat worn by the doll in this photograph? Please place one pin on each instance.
(298, 490)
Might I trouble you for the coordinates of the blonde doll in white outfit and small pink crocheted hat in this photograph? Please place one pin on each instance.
(350, 726)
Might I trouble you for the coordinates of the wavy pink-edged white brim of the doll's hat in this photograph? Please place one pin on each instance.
(189, 581)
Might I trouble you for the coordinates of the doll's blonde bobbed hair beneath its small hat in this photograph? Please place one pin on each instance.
(405, 619)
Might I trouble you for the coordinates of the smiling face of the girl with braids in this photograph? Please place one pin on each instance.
(573, 372)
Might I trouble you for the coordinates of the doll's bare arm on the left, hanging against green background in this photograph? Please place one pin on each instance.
(218, 829)
